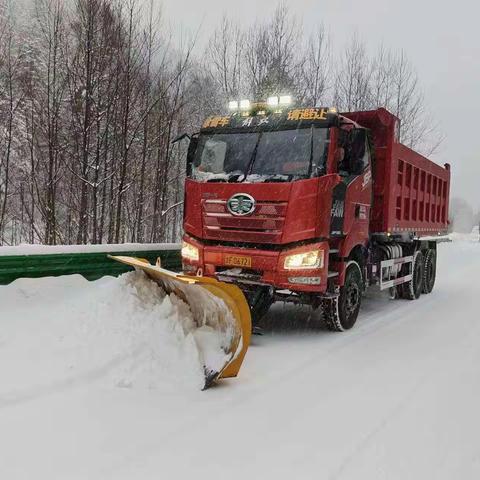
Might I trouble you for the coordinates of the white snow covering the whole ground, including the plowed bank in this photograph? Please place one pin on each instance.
(97, 382)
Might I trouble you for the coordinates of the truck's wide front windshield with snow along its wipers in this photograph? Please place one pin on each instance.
(282, 155)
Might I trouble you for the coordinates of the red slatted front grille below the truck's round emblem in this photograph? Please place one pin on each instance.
(264, 225)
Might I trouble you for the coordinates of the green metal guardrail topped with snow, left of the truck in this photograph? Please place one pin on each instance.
(92, 266)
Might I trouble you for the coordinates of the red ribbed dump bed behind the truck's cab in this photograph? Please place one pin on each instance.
(411, 193)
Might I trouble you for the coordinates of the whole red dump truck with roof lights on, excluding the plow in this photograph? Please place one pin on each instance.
(311, 206)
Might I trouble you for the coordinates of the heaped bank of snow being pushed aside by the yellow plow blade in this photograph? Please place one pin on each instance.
(126, 332)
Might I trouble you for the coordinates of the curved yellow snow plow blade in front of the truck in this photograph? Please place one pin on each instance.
(215, 304)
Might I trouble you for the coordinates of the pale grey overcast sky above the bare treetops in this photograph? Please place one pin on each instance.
(441, 38)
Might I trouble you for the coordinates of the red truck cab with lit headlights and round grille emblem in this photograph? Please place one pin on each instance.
(268, 194)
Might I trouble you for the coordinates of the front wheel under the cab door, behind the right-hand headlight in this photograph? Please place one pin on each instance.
(341, 313)
